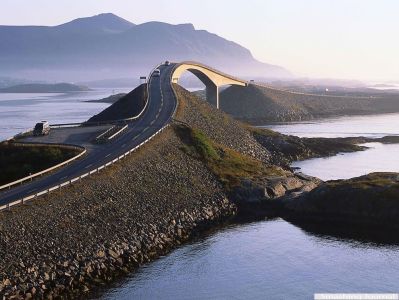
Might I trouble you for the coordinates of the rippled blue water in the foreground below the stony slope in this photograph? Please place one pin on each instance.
(270, 259)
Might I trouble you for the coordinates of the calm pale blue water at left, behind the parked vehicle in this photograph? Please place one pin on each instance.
(19, 112)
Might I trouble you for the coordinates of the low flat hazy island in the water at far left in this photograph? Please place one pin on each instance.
(44, 88)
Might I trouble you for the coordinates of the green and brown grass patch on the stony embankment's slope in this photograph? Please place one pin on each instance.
(227, 164)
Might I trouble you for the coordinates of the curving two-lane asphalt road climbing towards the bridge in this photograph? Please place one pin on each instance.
(158, 113)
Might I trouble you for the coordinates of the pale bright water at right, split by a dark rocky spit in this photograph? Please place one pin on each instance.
(378, 158)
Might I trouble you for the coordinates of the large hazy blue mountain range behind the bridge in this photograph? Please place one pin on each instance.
(107, 46)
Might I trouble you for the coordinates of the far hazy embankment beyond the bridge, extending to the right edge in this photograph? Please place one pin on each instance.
(260, 105)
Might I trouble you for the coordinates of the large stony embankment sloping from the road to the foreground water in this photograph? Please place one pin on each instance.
(201, 171)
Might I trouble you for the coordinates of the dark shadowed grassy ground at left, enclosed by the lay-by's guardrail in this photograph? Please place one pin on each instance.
(19, 161)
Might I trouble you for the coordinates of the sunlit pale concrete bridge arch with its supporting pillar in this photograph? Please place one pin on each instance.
(211, 78)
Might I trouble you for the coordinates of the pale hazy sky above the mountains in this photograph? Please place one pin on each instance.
(317, 38)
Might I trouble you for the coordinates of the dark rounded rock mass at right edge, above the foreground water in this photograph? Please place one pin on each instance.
(370, 200)
